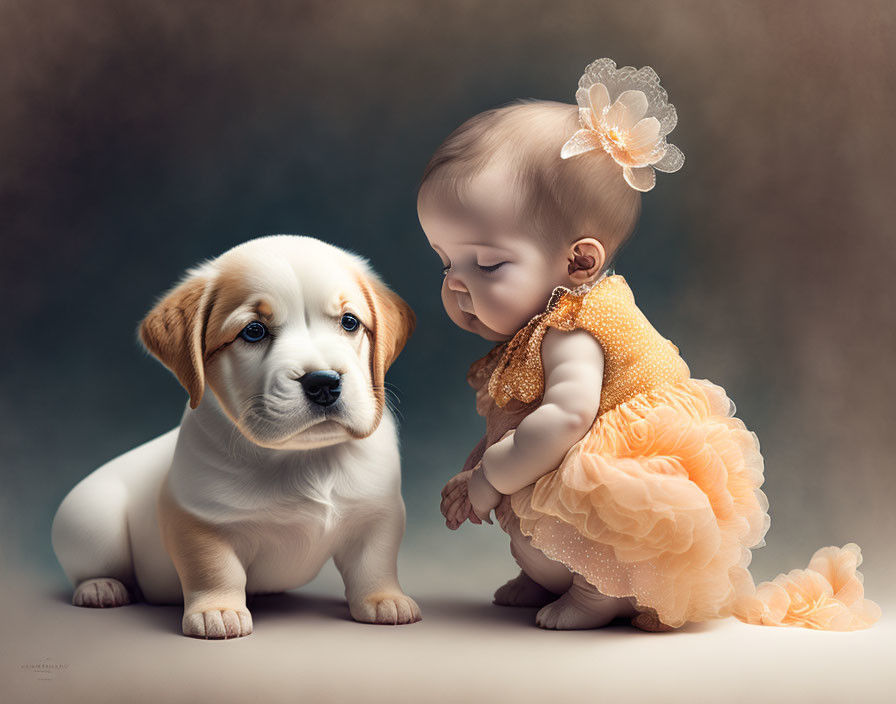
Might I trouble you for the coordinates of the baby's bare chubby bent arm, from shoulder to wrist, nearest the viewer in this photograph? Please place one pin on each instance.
(573, 375)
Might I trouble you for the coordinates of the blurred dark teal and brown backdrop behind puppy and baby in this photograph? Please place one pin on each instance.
(138, 138)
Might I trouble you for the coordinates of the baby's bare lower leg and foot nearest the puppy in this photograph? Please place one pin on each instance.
(541, 578)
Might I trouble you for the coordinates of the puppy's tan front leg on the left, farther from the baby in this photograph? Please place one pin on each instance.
(211, 575)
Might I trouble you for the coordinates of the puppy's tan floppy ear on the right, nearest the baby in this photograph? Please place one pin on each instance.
(392, 325)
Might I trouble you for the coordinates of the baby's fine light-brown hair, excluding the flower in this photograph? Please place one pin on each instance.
(558, 200)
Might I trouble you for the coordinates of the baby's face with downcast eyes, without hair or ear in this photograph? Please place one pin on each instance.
(495, 276)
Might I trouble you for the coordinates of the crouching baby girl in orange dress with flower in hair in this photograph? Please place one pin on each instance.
(628, 489)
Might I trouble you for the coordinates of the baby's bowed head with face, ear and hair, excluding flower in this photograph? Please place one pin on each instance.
(511, 219)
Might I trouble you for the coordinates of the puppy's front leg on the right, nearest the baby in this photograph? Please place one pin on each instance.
(368, 564)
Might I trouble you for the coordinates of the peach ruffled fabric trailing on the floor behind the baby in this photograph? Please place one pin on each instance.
(828, 595)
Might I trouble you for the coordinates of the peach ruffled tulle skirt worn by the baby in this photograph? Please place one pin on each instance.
(661, 501)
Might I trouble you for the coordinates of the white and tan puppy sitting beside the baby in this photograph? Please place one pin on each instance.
(286, 454)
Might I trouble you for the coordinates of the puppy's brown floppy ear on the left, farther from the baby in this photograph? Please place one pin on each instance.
(174, 332)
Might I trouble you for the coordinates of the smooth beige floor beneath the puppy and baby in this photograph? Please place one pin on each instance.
(305, 649)
